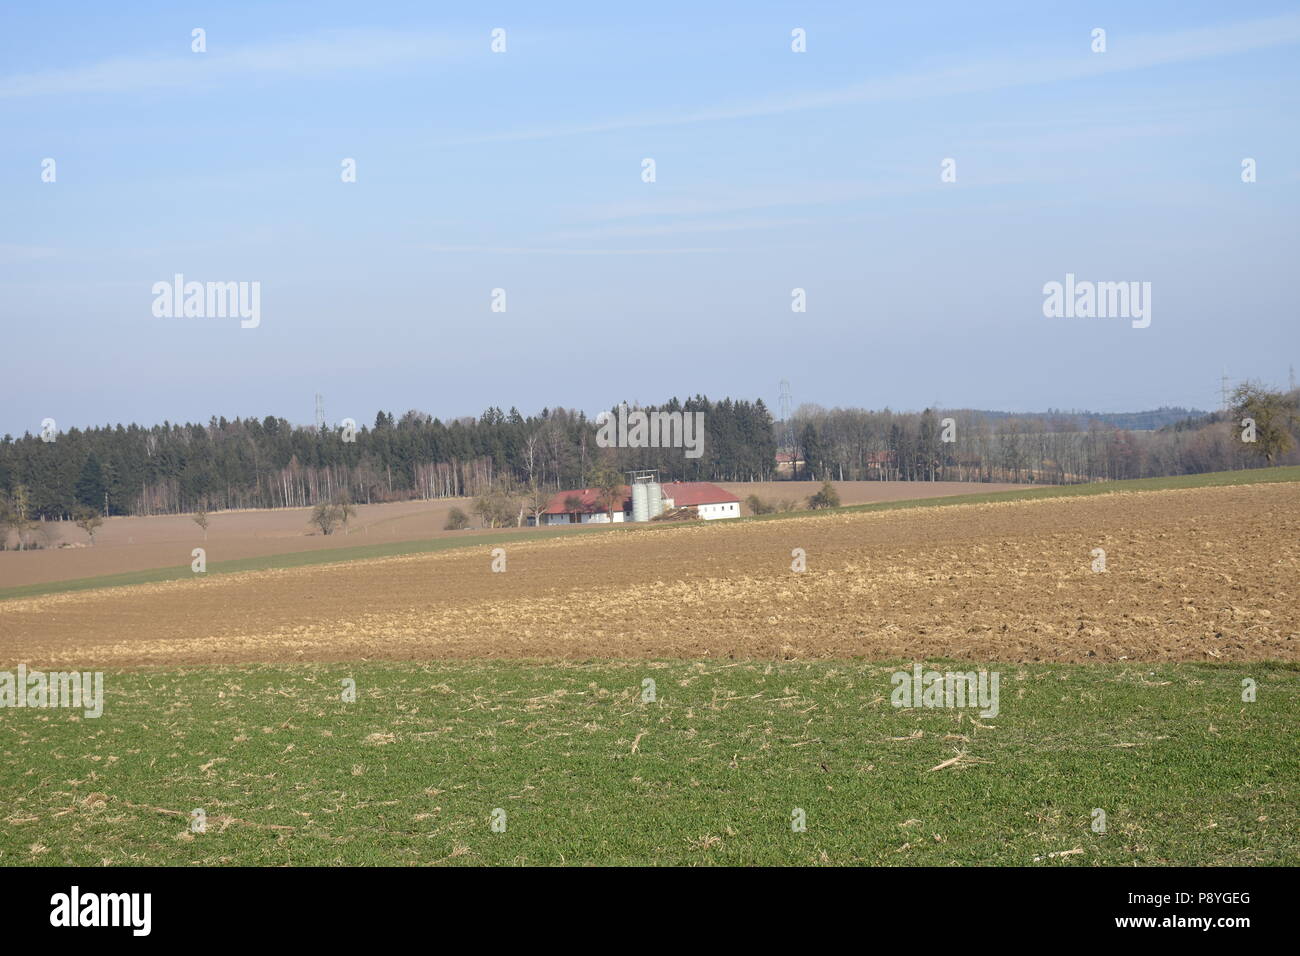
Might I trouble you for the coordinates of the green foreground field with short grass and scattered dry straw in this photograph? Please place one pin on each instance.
(710, 773)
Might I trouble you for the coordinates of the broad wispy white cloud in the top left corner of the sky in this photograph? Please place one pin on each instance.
(352, 50)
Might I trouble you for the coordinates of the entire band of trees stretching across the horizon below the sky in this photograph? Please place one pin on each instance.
(513, 464)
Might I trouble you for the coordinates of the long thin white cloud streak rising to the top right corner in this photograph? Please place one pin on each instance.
(1125, 54)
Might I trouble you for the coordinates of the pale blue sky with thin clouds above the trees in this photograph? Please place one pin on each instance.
(523, 171)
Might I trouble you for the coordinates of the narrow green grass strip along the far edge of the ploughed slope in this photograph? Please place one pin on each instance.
(422, 547)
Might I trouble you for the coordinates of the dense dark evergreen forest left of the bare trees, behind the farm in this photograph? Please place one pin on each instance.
(250, 464)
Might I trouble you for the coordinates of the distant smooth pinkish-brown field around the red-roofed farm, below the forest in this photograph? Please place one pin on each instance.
(141, 544)
